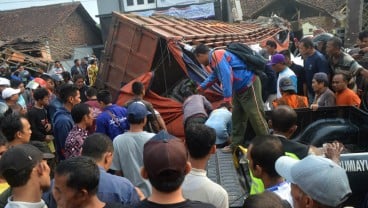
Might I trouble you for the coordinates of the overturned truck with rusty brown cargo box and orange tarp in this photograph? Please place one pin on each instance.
(156, 50)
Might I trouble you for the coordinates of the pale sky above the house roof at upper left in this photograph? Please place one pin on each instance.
(89, 5)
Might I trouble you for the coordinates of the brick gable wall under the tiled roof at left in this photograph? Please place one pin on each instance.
(73, 32)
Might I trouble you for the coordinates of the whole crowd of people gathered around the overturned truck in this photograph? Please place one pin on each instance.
(63, 143)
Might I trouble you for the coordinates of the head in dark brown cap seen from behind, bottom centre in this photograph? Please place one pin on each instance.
(165, 162)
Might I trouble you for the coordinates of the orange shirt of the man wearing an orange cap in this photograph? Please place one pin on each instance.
(292, 100)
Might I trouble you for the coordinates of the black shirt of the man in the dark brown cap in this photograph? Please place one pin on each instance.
(185, 204)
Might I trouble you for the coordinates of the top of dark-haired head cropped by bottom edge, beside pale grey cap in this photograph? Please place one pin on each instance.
(266, 199)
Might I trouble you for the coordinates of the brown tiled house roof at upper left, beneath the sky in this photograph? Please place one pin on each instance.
(35, 23)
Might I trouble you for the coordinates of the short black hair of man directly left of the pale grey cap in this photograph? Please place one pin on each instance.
(265, 151)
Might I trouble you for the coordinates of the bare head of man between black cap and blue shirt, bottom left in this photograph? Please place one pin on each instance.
(76, 182)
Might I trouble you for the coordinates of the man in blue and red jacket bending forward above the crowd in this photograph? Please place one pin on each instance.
(241, 87)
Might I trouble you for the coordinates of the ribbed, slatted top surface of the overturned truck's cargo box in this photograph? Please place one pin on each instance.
(194, 32)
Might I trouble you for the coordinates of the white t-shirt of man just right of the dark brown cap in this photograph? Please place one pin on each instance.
(198, 187)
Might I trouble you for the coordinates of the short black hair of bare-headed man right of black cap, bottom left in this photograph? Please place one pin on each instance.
(81, 173)
